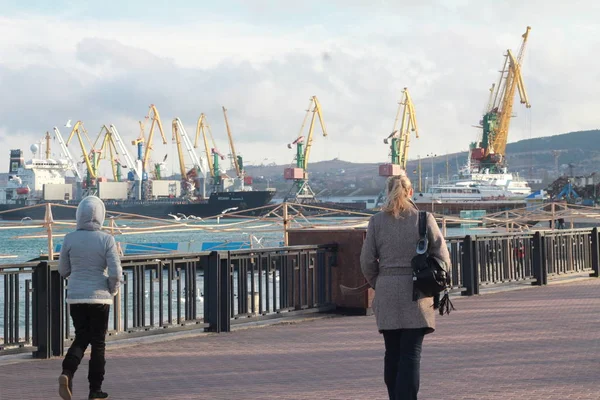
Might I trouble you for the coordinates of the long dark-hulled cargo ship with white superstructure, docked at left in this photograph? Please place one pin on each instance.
(41, 181)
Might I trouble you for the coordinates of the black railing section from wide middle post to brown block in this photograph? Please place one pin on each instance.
(249, 285)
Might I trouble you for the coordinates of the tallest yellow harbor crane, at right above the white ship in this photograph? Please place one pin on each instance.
(489, 153)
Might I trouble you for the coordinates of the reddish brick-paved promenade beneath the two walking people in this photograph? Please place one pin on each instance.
(538, 343)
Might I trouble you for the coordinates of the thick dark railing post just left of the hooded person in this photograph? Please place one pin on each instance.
(41, 311)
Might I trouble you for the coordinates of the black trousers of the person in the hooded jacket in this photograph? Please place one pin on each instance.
(91, 323)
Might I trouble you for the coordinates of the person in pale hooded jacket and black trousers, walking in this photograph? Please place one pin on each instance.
(90, 261)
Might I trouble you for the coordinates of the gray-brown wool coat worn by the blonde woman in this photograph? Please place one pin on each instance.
(385, 262)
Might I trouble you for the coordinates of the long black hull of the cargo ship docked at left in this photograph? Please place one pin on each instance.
(214, 205)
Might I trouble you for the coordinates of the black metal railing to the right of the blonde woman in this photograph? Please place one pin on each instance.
(496, 259)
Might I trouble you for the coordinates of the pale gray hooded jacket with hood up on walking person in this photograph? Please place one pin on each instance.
(89, 257)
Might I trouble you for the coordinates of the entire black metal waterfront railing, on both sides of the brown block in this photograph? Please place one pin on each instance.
(213, 291)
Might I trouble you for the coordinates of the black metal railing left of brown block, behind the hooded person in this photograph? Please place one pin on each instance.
(162, 294)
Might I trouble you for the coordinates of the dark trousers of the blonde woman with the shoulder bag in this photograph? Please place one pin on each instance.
(402, 362)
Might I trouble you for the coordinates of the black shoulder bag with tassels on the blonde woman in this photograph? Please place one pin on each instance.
(429, 272)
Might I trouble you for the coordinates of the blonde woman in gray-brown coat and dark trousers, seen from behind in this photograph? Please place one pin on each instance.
(385, 261)
